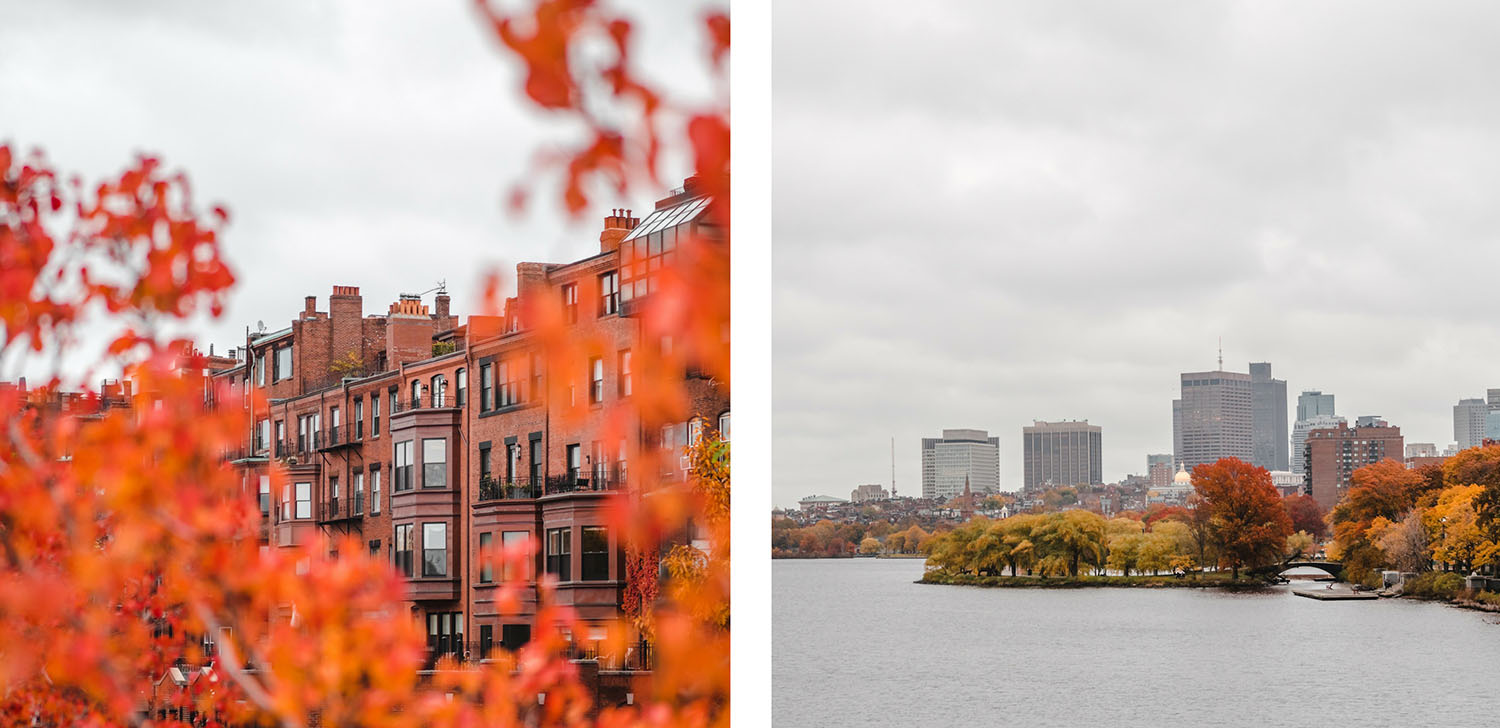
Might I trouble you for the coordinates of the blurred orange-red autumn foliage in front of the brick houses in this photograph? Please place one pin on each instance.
(124, 540)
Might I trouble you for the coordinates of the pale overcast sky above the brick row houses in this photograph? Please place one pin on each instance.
(355, 143)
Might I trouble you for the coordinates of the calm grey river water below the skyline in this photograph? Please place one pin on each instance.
(859, 645)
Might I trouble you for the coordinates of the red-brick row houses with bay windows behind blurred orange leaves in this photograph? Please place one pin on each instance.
(425, 439)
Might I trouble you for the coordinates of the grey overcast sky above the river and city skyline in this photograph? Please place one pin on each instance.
(989, 214)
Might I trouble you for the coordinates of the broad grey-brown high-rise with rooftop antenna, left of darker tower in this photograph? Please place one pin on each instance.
(1214, 418)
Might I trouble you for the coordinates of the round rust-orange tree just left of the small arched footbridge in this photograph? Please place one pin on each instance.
(1247, 522)
